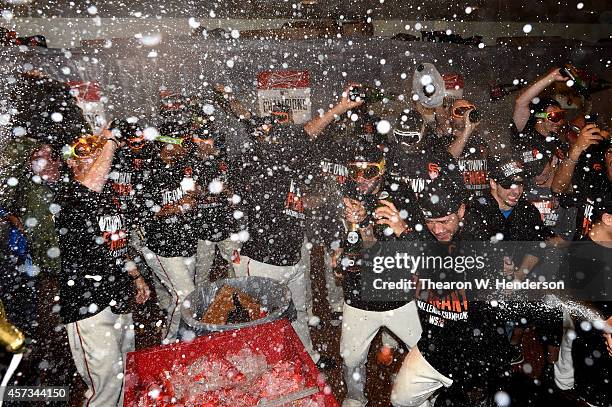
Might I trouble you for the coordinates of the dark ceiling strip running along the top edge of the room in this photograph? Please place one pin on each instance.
(552, 11)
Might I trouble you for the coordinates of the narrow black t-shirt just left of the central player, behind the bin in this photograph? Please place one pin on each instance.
(214, 218)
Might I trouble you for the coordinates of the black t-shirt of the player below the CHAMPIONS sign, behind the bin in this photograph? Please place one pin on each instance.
(275, 178)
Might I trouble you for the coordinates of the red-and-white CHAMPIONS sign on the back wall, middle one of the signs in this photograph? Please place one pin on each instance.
(291, 88)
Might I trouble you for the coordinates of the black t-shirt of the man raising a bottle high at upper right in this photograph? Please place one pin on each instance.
(534, 149)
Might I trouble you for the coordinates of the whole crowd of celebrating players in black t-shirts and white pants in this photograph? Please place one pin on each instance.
(114, 215)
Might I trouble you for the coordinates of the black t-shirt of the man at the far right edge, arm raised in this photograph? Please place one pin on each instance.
(589, 184)
